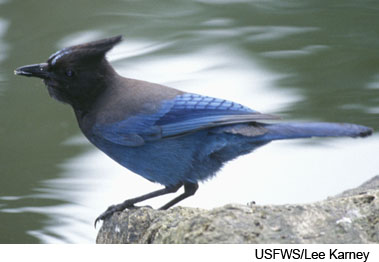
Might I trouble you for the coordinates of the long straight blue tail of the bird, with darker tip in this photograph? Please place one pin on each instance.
(304, 130)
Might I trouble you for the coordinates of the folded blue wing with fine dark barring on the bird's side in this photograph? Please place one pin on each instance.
(185, 113)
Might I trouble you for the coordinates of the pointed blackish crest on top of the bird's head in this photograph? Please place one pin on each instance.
(91, 49)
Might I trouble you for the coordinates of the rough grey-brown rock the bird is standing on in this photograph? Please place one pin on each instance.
(350, 217)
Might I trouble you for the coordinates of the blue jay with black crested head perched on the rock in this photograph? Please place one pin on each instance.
(167, 136)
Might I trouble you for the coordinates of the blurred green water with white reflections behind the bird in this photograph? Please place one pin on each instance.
(303, 60)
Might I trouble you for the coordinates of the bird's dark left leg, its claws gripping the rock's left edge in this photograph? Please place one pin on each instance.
(130, 202)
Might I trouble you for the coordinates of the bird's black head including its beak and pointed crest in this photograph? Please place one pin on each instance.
(76, 74)
